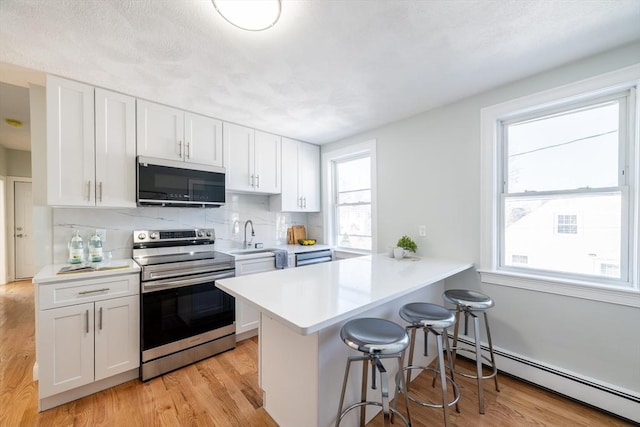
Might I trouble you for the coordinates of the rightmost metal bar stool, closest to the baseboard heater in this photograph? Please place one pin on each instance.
(472, 303)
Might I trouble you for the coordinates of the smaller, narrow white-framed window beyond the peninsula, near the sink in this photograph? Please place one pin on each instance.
(350, 197)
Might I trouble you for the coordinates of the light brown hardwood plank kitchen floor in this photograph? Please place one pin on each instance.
(223, 391)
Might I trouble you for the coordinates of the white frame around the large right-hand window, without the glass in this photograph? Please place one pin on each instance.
(625, 293)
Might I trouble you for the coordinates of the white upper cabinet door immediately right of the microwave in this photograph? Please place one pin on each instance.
(238, 153)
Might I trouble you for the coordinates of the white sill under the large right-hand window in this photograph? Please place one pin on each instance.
(603, 293)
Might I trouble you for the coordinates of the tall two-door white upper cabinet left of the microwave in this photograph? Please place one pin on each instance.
(89, 163)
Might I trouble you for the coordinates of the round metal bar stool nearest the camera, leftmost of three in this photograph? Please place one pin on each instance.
(377, 339)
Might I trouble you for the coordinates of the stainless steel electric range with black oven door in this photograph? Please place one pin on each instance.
(184, 317)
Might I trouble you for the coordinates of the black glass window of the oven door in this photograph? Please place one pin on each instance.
(174, 314)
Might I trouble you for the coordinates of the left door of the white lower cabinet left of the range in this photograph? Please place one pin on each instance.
(65, 348)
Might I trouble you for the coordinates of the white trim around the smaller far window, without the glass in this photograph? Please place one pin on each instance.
(328, 157)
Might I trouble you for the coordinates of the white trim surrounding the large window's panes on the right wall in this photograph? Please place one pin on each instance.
(489, 127)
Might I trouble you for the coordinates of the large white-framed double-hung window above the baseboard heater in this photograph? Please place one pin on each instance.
(560, 196)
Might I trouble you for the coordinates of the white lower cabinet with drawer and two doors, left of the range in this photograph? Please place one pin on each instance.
(86, 333)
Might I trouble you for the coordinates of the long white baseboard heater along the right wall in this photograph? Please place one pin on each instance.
(607, 397)
